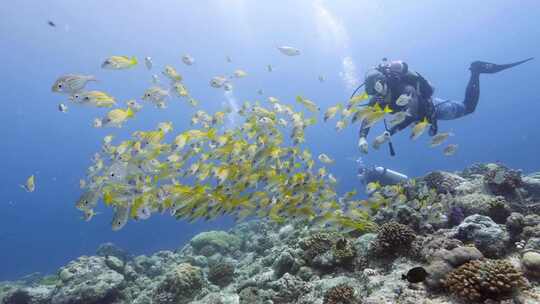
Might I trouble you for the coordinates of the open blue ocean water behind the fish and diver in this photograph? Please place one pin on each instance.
(41, 231)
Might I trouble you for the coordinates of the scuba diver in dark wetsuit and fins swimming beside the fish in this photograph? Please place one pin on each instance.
(392, 83)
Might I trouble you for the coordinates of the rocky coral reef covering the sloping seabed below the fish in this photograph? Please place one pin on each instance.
(476, 233)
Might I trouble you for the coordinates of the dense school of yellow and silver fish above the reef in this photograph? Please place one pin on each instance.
(256, 168)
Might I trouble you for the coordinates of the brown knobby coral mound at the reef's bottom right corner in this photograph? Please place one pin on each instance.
(477, 281)
